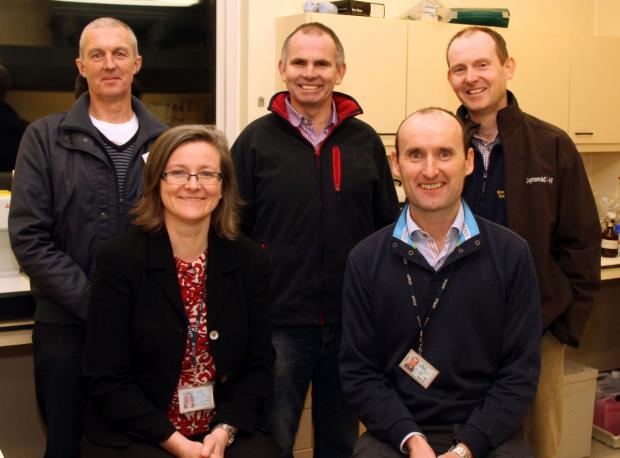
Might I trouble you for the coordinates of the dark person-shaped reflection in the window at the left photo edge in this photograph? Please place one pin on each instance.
(12, 127)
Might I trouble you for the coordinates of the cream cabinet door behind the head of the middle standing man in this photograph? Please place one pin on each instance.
(375, 54)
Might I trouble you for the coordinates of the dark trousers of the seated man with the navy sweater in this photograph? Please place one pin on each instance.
(440, 439)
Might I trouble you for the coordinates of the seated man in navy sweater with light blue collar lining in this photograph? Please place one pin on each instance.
(441, 325)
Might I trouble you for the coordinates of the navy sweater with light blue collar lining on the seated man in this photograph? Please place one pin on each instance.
(483, 337)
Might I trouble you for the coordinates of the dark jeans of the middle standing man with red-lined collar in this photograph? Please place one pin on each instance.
(305, 354)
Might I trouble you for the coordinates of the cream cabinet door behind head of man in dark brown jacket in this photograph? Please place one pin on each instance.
(540, 82)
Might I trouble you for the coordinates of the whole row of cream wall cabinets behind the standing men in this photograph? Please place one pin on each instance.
(395, 67)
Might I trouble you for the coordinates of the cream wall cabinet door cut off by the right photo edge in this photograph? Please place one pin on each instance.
(595, 92)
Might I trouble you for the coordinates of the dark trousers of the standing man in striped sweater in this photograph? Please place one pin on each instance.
(60, 386)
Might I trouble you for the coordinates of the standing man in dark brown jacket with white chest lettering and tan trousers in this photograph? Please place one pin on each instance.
(528, 176)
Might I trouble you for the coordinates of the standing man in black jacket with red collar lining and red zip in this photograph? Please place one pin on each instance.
(315, 181)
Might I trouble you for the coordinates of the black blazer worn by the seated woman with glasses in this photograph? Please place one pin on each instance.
(137, 330)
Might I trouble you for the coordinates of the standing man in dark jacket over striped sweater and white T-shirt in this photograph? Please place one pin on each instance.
(77, 176)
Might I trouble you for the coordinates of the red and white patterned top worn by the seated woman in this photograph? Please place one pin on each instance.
(192, 283)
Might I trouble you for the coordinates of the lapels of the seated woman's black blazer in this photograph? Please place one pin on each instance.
(222, 259)
